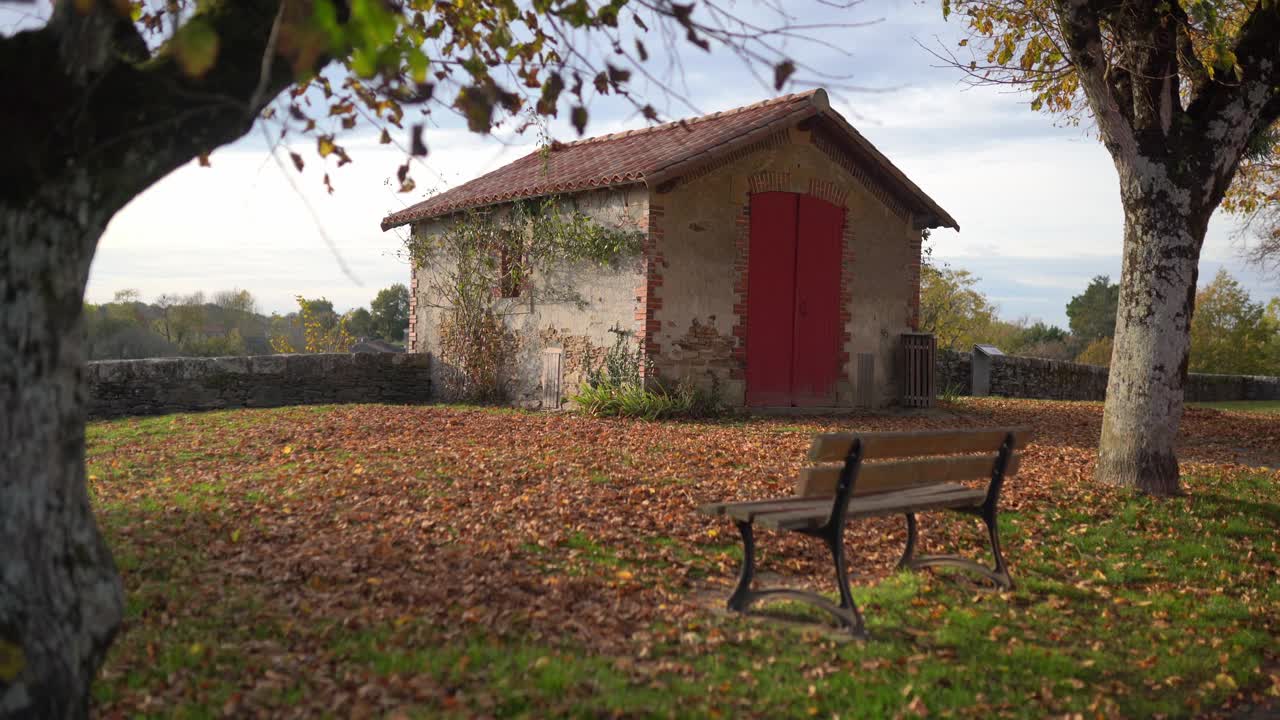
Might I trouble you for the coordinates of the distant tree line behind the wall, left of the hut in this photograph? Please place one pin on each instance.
(230, 323)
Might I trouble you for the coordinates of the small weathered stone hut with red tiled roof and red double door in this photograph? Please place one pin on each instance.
(780, 265)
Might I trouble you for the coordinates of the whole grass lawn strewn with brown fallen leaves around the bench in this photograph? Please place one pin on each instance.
(447, 562)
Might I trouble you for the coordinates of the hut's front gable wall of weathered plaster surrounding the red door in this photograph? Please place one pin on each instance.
(705, 254)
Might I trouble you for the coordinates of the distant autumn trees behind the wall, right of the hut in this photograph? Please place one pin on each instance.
(1231, 332)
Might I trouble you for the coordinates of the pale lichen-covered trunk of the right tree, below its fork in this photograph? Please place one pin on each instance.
(1149, 363)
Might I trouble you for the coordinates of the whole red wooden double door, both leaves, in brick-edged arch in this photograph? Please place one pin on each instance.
(793, 300)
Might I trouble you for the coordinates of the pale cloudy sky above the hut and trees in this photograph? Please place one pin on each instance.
(1037, 204)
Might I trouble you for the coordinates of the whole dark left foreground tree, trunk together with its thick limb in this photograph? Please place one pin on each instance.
(98, 120)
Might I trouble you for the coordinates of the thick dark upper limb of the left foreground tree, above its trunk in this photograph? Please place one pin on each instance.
(102, 107)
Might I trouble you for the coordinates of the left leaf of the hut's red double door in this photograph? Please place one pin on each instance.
(771, 299)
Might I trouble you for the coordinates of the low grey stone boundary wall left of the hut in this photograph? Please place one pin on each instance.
(175, 385)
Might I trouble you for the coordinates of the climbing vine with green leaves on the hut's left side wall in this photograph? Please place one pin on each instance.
(490, 263)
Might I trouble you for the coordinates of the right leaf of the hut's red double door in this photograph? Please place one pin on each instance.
(816, 361)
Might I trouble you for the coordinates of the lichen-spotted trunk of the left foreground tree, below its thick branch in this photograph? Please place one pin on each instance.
(61, 599)
